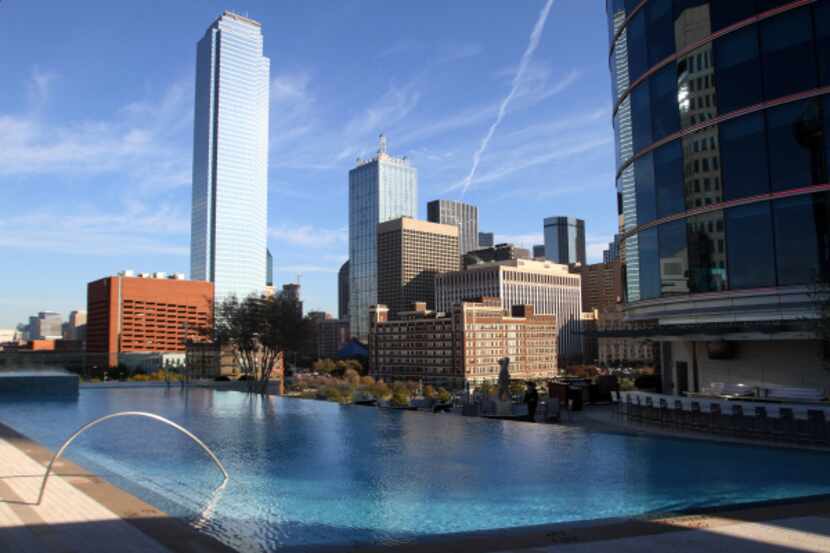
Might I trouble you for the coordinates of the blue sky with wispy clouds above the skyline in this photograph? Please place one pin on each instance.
(96, 122)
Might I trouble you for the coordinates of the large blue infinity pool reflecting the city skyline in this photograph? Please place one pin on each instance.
(307, 472)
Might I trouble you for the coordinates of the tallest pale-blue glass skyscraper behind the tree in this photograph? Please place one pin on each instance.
(230, 159)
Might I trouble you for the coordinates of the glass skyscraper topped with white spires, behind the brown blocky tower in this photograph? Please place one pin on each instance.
(380, 189)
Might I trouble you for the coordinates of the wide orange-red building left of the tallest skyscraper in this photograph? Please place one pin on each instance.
(145, 314)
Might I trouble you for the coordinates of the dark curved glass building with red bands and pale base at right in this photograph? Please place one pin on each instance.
(721, 120)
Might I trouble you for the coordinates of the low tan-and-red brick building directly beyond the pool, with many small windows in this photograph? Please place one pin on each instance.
(463, 347)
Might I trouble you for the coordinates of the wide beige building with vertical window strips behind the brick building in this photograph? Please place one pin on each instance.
(549, 287)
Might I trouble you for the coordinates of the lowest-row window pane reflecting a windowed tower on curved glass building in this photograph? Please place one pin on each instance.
(707, 252)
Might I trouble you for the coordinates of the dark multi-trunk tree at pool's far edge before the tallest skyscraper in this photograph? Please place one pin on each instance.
(260, 331)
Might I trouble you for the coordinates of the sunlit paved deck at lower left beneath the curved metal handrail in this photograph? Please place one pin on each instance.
(80, 513)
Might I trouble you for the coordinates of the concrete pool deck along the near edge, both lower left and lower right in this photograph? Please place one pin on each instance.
(83, 513)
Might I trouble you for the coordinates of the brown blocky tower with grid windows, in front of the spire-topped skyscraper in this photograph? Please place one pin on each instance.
(410, 255)
